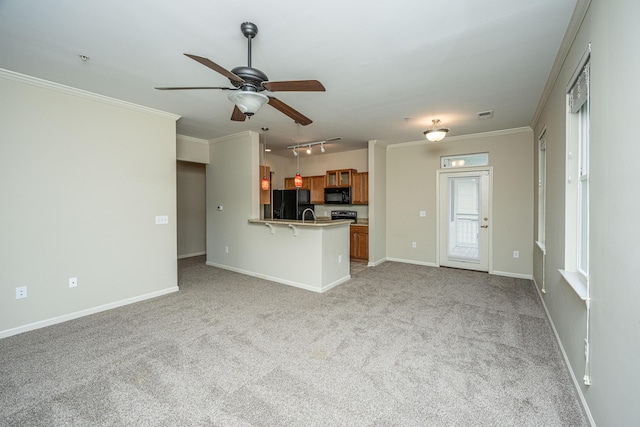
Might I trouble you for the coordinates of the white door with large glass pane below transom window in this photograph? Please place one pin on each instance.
(464, 220)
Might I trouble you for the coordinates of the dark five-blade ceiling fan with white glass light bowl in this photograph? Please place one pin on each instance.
(249, 82)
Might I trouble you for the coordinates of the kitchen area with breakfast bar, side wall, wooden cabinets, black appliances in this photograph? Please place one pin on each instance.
(263, 233)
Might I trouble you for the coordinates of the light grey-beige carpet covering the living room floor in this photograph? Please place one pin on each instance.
(398, 344)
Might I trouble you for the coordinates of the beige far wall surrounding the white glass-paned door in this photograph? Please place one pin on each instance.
(411, 187)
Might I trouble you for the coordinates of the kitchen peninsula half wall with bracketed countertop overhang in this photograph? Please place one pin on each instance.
(312, 255)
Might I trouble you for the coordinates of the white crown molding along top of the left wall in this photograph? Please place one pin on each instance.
(57, 87)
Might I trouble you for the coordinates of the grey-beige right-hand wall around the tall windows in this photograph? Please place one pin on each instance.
(614, 330)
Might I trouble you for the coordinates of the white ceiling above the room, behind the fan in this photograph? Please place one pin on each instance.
(389, 67)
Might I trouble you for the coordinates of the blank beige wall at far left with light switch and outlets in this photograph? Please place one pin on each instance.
(82, 178)
